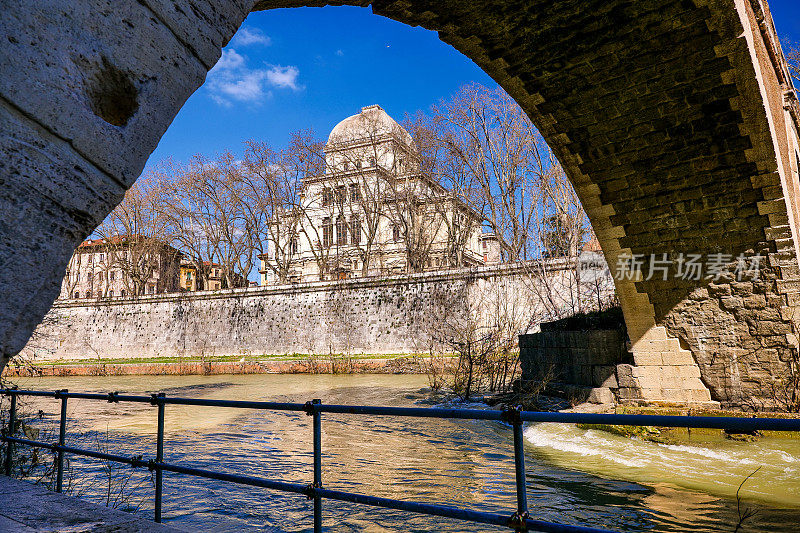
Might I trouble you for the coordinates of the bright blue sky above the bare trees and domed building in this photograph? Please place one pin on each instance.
(291, 69)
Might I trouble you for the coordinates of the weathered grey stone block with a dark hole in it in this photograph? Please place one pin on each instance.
(121, 91)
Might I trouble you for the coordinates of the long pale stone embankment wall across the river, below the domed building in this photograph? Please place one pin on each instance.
(376, 316)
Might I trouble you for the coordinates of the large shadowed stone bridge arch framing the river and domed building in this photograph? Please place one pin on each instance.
(675, 120)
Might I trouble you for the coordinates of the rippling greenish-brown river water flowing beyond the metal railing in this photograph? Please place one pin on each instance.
(576, 476)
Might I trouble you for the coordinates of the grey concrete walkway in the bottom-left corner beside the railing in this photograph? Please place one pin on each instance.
(28, 508)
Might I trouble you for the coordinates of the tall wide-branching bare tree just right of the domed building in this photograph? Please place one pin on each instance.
(495, 159)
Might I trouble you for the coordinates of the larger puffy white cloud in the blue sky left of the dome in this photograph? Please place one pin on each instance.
(231, 80)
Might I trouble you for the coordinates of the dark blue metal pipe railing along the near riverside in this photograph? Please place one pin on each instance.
(519, 520)
